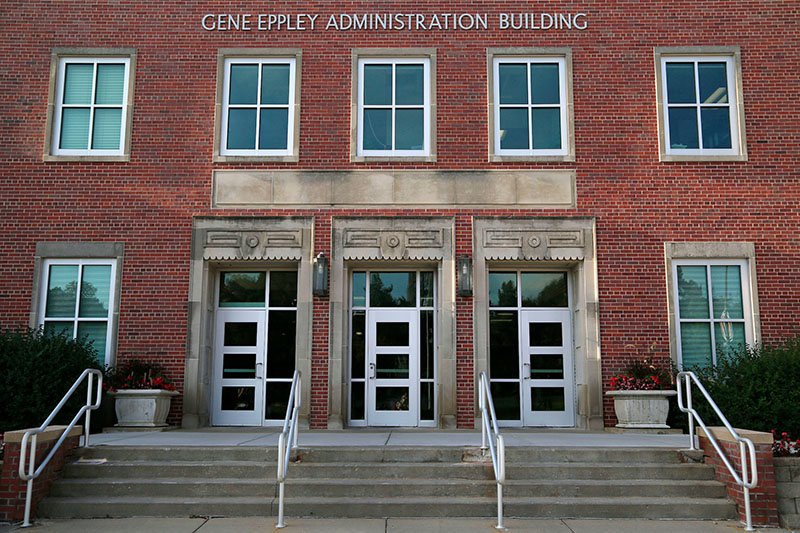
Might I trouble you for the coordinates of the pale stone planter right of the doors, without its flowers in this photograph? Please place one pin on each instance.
(642, 409)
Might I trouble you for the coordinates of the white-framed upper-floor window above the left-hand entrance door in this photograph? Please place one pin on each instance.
(258, 107)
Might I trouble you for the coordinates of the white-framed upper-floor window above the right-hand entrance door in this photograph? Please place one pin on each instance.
(530, 96)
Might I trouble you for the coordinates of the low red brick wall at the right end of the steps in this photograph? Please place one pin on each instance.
(764, 497)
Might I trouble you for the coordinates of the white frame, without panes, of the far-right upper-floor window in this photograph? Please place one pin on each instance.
(698, 105)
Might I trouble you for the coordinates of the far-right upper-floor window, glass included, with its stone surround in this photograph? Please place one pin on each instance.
(700, 106)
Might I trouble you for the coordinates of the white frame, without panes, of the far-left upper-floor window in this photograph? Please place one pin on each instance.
(59, 106)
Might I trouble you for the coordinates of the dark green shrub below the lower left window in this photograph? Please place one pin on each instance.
(36, 370)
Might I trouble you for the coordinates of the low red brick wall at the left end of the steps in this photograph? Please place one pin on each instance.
(13, 490)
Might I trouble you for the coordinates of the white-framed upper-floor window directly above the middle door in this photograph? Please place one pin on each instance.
(394, 106)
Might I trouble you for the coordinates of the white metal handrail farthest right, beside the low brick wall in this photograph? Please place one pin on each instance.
(745, 481)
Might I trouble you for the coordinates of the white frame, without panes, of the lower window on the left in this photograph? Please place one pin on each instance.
(75, 319)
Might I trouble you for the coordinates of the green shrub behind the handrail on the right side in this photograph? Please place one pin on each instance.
(756, 388)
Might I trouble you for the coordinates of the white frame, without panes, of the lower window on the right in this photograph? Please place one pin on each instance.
(747, 305)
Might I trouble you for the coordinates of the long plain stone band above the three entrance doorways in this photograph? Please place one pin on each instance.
(453, 188)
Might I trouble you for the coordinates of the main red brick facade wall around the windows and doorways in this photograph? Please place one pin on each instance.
(639, 202)
